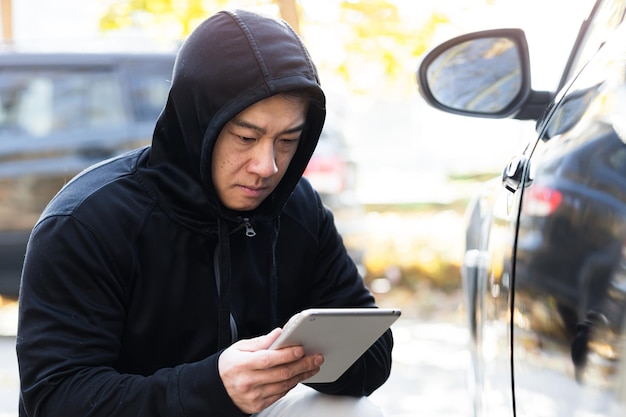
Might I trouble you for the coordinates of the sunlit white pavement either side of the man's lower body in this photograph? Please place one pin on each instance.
(428, 377)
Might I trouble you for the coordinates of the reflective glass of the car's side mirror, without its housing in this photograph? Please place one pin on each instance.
(481, 75)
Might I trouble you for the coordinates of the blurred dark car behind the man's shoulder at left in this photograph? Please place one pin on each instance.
(59, 114)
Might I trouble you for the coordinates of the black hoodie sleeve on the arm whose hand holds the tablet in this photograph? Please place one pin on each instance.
(69, 337)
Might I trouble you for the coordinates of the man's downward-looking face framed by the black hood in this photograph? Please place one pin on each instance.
(254, 149)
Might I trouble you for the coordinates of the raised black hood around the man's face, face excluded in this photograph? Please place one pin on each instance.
(231, 61)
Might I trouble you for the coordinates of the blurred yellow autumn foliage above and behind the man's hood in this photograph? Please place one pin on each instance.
(372, 34)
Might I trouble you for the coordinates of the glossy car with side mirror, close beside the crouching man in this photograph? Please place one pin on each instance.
(544, 271)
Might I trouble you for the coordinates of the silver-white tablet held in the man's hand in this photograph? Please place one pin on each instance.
(341, 335)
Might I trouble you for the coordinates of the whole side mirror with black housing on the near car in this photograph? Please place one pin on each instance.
(482, 74)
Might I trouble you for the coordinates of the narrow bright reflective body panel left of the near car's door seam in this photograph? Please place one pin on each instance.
(487, 281)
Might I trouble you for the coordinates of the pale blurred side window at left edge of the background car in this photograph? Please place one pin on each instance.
(36, 103)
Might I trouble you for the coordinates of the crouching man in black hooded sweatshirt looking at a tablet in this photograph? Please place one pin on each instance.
(154, 283)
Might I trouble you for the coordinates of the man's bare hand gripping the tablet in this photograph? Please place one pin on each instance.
(256, 377)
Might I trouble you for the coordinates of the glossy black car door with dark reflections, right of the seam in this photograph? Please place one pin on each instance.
(569, 281)
